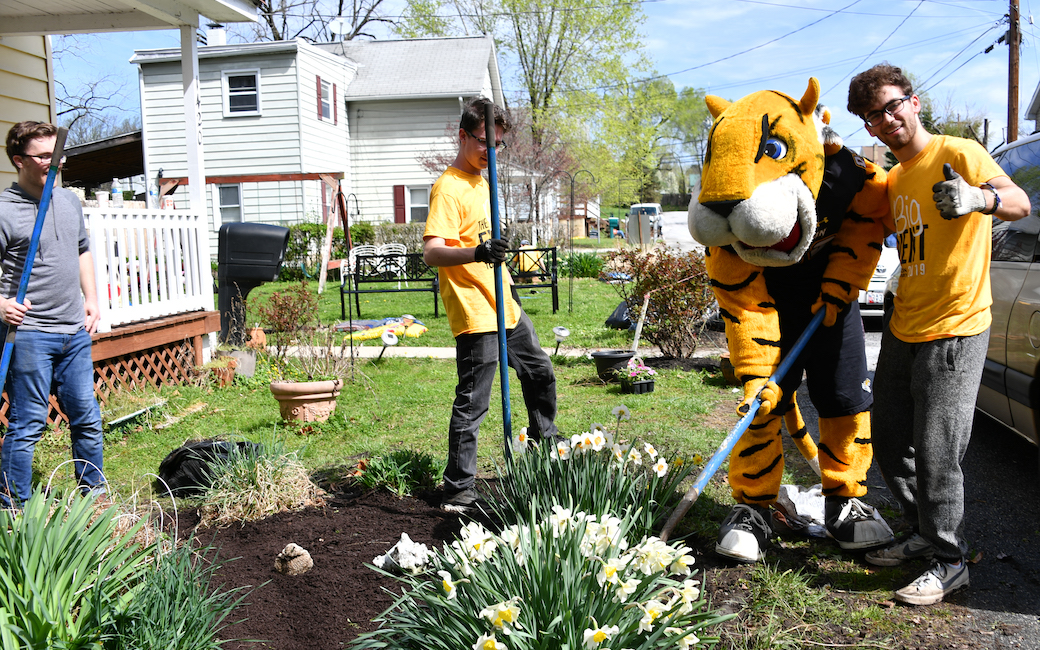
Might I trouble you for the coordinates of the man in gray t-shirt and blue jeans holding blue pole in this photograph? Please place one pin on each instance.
(53, 347)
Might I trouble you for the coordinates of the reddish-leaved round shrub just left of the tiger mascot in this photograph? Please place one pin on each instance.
(681, 296)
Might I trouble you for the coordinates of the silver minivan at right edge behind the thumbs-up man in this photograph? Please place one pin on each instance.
(1010, 392)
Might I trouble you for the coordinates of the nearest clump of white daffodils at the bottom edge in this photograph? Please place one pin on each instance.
(570, 580)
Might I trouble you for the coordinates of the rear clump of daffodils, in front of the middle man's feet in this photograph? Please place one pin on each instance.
(595, 473)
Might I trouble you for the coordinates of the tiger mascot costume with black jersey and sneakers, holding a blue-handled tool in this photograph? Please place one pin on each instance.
(792, 222)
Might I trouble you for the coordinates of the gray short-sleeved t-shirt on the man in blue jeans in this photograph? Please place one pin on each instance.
(55, 289)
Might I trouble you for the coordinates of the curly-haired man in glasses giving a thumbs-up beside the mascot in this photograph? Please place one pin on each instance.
(944, 194)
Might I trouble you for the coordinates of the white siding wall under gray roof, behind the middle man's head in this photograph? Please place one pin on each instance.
(387, 139)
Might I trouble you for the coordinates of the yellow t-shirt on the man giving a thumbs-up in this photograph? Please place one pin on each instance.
(944, 289)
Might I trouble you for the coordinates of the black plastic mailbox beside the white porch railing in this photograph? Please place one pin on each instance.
(248, 255)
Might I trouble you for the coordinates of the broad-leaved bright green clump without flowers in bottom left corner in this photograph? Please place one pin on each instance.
(65, 573)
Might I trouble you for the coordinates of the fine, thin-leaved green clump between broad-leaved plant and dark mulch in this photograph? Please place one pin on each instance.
(177, 608)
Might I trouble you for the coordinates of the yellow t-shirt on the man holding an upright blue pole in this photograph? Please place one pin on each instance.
(460, 213)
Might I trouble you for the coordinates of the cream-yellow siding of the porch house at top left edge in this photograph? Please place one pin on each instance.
(27, 89)
